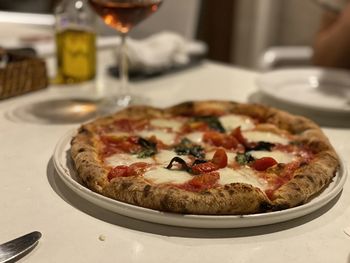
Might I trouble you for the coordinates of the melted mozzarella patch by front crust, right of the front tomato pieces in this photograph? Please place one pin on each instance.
(244, 175)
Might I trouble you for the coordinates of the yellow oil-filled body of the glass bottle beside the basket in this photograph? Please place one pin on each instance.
(76, 55)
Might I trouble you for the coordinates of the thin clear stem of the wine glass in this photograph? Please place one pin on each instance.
(123, 70)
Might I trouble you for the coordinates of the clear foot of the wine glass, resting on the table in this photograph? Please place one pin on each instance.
(117, 103)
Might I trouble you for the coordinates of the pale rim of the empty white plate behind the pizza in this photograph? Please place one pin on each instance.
(267, 89)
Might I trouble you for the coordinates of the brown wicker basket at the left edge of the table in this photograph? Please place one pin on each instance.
(22, 74)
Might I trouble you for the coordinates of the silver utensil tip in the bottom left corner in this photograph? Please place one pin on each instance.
(18, 247)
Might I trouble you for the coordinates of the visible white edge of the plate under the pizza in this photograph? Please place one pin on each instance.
(64, 169)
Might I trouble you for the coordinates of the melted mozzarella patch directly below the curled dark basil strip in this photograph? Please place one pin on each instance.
(162, 175)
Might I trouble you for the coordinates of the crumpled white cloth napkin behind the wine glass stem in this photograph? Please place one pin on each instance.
(162, 51)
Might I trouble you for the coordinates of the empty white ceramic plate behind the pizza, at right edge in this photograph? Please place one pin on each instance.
(314, 88)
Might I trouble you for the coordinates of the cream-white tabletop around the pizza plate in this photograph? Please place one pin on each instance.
(33, 197)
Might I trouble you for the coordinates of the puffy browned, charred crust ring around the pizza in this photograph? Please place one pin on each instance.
(236, 198)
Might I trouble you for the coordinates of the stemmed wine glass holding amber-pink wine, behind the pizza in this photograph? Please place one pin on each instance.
(123, 15)
